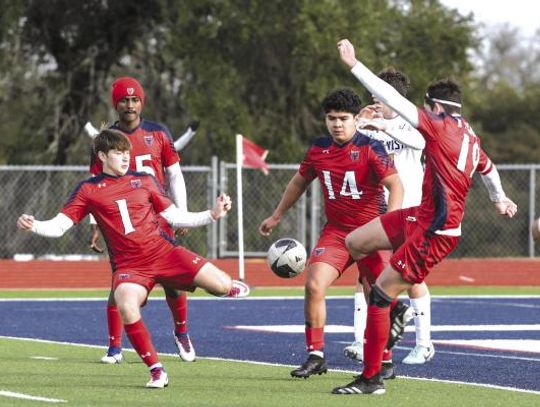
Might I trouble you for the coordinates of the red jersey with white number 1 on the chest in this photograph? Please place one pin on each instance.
(126, 210)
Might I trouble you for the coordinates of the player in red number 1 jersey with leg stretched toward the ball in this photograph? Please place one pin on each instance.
(126, 206)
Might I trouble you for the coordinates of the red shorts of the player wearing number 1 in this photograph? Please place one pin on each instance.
(177, 269)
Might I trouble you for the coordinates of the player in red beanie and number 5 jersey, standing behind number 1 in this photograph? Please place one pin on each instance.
(152, 152)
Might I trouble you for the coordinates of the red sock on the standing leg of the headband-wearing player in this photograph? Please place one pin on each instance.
(376, 337)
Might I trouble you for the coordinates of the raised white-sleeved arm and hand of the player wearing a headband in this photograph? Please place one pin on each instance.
(382, 90)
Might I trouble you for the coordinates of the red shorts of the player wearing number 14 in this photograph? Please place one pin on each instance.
(331, 249)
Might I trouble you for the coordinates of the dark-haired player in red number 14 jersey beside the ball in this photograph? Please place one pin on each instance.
(352, 169)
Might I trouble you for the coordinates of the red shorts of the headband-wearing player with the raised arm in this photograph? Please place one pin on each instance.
(416, 250)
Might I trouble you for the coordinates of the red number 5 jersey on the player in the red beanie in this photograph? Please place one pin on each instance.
(152, 150)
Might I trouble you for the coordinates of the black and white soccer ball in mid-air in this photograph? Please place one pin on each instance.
(287, 258)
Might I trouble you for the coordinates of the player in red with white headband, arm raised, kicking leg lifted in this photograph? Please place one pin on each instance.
(424, 235)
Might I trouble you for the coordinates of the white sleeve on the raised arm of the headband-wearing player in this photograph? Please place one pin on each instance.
(386, 93)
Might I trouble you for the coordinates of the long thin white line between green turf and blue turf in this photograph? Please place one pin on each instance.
(253, 362)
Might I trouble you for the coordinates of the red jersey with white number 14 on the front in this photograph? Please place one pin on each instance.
(350, 176)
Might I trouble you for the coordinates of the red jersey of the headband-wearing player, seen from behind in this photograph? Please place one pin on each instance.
(452, 155)
